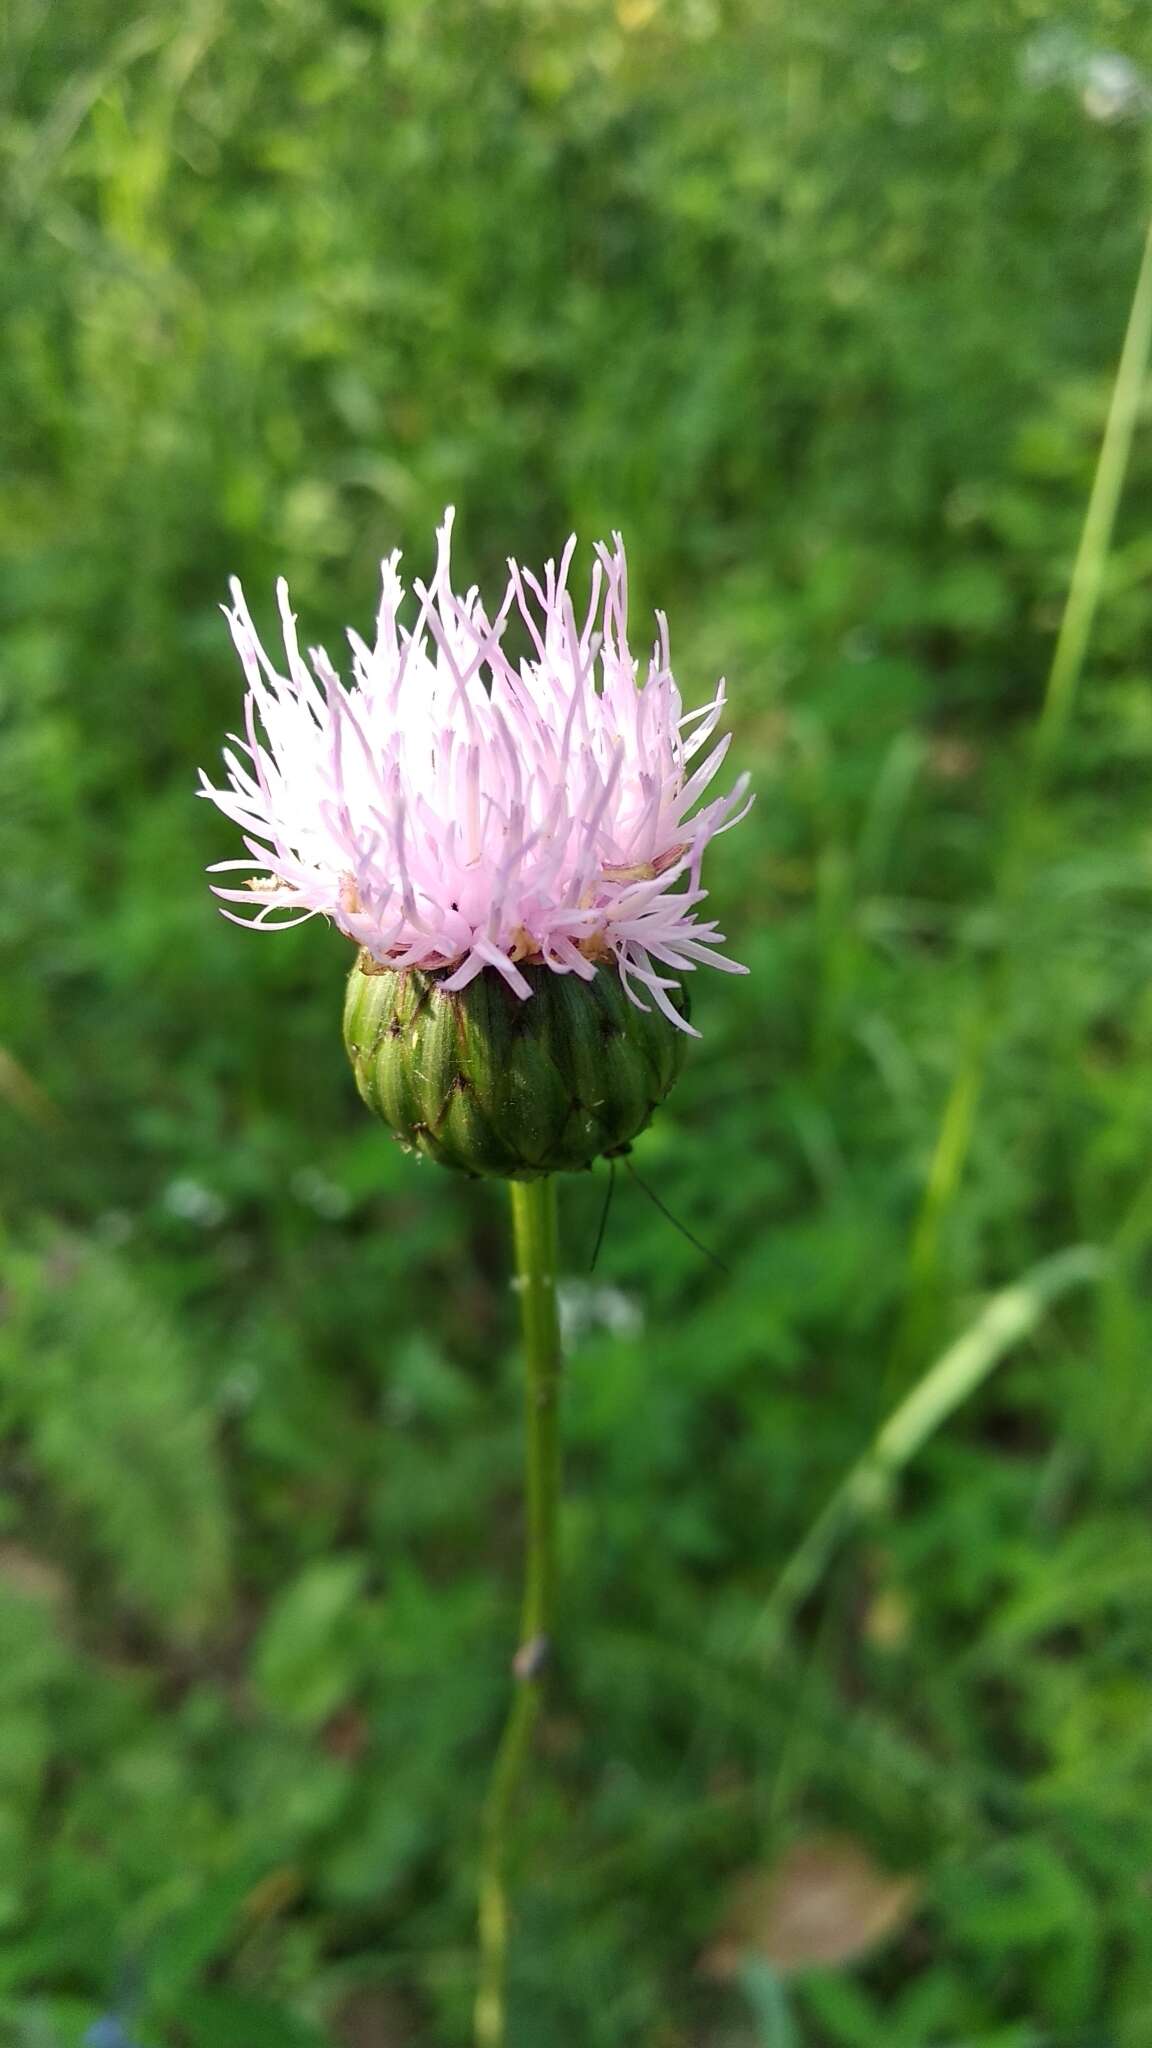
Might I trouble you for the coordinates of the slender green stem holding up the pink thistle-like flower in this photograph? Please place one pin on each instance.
(534, 1222)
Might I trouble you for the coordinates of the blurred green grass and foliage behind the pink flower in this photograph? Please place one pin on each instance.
(821, 306)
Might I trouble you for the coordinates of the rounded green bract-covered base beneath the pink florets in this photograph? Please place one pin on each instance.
(489, 1084)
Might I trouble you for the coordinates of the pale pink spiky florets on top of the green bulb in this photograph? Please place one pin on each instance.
(456, 810)
